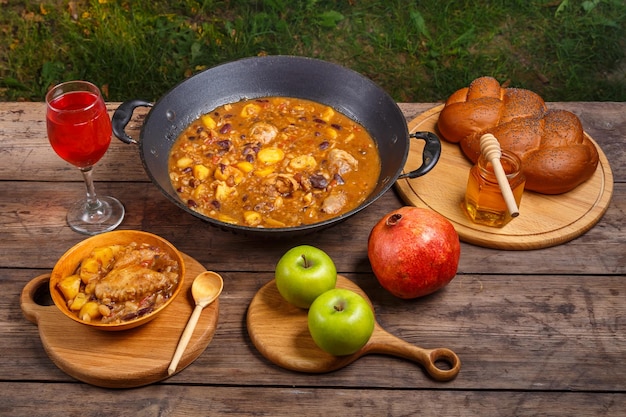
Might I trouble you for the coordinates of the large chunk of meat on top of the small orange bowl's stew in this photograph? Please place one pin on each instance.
(132, 282)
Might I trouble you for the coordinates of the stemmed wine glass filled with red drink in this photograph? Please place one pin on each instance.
(79, 130)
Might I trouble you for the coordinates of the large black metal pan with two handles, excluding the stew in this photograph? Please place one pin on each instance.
(343, 89)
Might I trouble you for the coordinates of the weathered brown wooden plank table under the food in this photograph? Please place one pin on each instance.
(539, 332)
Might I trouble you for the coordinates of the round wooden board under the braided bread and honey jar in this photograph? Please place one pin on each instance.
(544, 220)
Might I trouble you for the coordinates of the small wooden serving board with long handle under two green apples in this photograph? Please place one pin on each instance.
(279, 330)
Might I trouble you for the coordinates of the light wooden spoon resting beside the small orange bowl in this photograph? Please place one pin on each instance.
(206, 287)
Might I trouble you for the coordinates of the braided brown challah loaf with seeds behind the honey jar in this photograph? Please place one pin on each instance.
(556, 155)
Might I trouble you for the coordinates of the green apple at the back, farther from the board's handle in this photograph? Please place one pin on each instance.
(303, 273)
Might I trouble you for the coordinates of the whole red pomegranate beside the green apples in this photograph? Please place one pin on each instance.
(413, 252)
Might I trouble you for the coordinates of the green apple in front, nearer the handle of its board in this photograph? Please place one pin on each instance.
(341, 321)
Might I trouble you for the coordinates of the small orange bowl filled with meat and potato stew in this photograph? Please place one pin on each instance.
(117, 280)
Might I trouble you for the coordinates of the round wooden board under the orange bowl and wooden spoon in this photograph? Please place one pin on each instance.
(127, 358)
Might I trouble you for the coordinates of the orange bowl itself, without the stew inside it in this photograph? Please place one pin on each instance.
(69, 262)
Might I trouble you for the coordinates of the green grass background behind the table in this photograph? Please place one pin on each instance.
(418, 51)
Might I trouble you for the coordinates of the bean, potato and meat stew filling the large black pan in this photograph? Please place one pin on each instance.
(274, 162)
